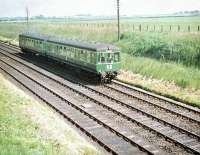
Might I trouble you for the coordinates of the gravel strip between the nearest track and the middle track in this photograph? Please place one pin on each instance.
(91, 107)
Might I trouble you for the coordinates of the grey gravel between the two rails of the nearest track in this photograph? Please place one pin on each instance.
(121, 147)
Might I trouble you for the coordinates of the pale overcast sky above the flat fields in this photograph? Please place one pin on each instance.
(9, 8)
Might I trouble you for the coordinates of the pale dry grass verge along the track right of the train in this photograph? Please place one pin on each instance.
(162, 87)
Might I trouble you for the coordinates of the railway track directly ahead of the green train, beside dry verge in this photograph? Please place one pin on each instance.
(174, 107)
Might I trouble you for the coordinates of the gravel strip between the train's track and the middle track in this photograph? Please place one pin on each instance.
(181, 122)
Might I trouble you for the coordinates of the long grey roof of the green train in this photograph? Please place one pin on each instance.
(74, 43)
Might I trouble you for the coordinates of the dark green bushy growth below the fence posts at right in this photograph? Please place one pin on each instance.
(179, 48)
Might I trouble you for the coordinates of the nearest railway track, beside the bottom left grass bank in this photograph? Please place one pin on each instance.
(108, 137)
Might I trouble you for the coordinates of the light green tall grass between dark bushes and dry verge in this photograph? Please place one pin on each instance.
(185, 77)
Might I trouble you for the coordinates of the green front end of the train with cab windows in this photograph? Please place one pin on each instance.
(108, 63)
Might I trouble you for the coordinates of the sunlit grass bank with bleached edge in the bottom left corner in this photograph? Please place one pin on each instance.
(27, 127)
